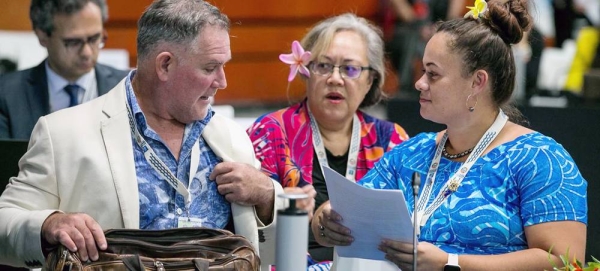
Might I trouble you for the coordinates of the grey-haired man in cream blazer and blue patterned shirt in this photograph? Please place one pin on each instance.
(80, 174)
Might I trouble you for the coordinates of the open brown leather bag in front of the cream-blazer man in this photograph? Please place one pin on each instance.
(173, 249)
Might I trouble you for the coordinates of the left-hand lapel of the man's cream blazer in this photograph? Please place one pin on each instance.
(120, 154)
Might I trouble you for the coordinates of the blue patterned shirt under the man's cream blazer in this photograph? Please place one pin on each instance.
(160, 204)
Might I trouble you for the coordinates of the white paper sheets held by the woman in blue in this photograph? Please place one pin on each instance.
(371, 215)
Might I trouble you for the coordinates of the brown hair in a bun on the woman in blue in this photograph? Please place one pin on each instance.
(485, 44)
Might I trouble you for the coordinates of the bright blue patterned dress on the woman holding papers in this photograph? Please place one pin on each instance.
(527, 181)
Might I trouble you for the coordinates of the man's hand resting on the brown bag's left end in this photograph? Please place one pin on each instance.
(78, 232)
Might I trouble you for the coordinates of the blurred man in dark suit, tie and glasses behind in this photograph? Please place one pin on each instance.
(72, 31)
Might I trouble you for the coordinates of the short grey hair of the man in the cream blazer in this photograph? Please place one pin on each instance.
(176, 21)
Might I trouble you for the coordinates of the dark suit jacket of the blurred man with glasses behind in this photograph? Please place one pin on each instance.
(24, 97)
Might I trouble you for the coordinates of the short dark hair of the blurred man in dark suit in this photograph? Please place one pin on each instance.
(41, 12)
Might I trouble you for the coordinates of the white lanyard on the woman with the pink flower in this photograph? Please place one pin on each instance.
(352, 152)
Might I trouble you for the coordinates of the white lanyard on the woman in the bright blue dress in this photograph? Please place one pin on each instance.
(454, 182)
